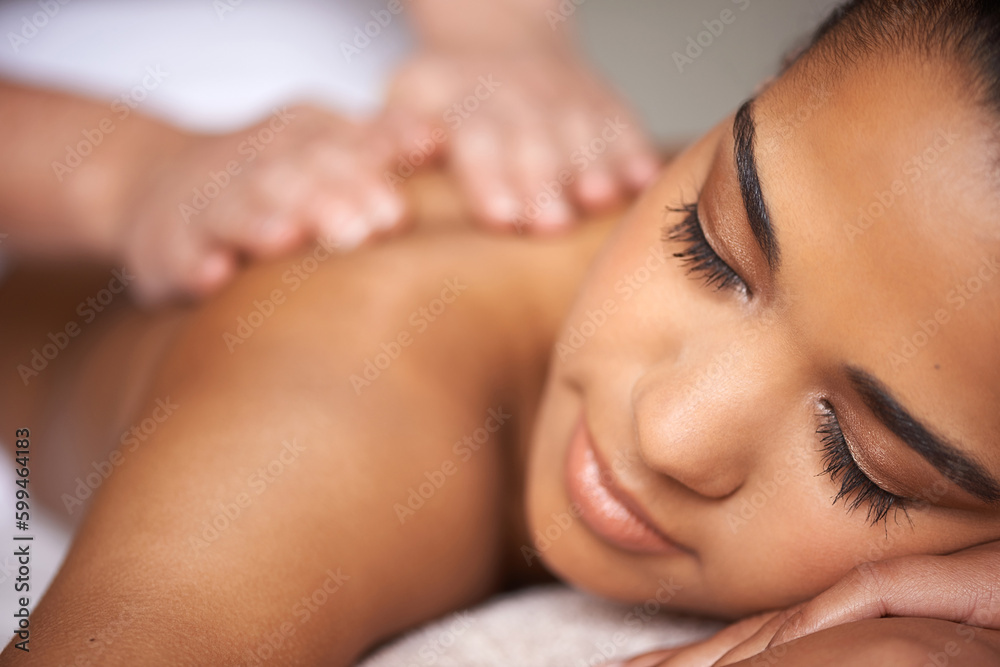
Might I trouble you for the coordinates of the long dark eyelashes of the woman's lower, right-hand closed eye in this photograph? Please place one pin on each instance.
(856, 488)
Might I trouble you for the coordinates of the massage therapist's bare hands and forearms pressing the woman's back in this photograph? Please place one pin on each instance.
(496, 93)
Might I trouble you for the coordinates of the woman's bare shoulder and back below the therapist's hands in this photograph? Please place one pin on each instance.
(235, 410)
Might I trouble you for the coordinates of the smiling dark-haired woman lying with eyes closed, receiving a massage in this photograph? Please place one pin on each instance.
(803, 308)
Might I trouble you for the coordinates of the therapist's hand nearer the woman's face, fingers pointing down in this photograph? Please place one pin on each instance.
(533, 138)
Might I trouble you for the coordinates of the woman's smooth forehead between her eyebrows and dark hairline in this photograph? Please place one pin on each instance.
(882, 193)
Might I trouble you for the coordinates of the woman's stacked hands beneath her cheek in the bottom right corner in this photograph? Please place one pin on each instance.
(942, 610)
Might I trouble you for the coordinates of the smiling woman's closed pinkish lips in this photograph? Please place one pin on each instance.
(607, 509)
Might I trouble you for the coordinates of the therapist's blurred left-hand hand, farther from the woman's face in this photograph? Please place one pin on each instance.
(300, 173)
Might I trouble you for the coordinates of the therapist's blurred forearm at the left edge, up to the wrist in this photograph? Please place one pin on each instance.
(68, 170)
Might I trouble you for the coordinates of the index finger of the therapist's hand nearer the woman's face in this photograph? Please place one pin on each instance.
(475, 162)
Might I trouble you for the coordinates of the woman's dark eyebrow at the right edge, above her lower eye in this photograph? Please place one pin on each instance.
(948, 459)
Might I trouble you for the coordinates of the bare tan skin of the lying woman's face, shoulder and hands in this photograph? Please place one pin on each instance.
(291, 380)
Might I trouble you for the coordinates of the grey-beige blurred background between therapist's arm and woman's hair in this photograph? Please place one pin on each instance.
(633, 41)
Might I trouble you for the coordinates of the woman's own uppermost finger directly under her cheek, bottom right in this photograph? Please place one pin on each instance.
(950, 588)
